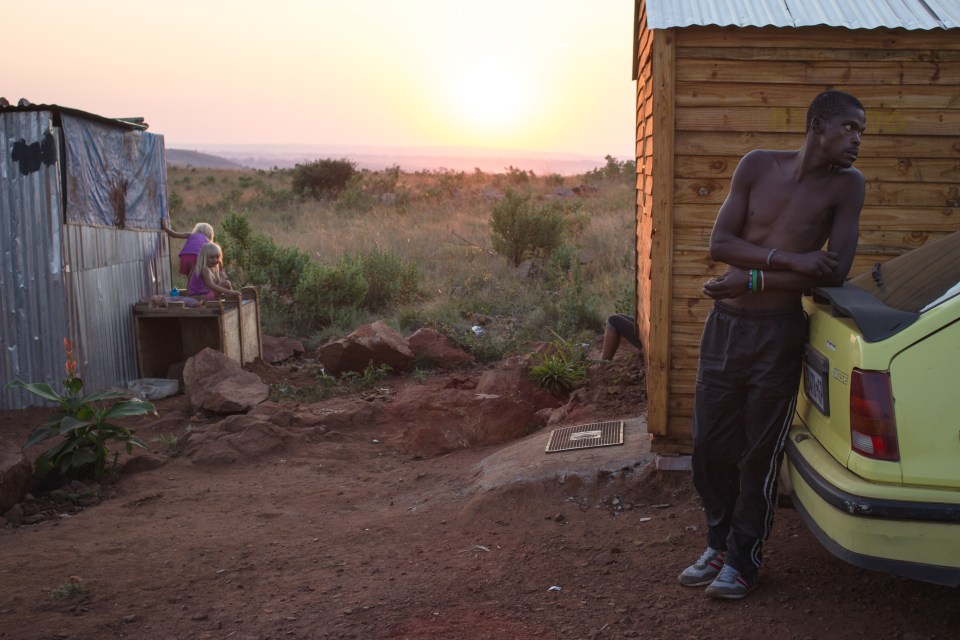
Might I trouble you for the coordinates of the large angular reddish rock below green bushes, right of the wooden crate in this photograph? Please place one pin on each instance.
(375, 343)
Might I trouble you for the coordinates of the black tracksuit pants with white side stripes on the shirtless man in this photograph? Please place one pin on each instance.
(747, 383)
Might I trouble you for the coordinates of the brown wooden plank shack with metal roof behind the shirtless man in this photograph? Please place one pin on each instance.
(714, 84)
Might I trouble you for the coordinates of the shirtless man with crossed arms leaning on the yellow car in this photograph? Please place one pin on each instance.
(770, 232)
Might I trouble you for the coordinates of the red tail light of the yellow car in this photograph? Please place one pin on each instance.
(873, 426)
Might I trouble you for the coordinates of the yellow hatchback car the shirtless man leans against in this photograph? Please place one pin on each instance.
(873, 456)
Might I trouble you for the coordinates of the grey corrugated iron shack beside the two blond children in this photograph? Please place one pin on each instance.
(81, 197)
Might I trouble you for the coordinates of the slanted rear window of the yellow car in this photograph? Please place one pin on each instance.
(917, 280)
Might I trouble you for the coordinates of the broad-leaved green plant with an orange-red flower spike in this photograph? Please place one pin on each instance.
(83, 424)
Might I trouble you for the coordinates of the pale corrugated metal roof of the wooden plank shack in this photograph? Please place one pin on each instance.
(851, 14)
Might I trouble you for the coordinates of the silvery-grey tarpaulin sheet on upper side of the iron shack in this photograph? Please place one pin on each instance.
(115, 177)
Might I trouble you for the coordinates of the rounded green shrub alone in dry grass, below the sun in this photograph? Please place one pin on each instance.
(521, 229)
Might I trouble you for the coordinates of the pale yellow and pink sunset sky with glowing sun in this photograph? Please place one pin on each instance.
(542, 75)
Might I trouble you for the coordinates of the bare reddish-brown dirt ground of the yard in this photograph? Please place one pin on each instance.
(341, 536)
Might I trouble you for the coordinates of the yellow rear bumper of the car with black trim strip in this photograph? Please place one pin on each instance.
(910, 532)
